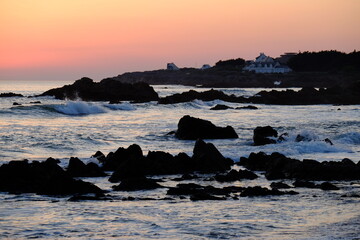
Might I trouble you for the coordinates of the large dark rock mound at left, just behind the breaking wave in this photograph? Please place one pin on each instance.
(106, 90)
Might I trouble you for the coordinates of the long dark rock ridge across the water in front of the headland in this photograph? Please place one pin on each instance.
(115, 91)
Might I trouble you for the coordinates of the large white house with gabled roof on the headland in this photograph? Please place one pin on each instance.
(266, 64)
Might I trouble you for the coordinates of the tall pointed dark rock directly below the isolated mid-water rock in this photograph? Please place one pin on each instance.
(207, 158)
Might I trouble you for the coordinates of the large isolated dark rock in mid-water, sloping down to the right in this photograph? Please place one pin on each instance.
(190, 128)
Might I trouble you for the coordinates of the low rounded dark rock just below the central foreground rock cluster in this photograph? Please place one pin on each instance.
(136, 183)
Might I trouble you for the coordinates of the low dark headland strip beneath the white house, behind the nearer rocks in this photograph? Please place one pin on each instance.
(216, 78)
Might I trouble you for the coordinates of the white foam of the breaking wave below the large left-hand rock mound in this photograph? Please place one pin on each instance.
(79, 108)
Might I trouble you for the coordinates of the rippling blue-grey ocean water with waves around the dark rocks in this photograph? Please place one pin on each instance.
(63, 129)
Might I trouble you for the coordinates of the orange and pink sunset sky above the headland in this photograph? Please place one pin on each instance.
(70, 39)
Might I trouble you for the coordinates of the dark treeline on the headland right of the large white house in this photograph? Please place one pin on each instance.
(325, 61)
